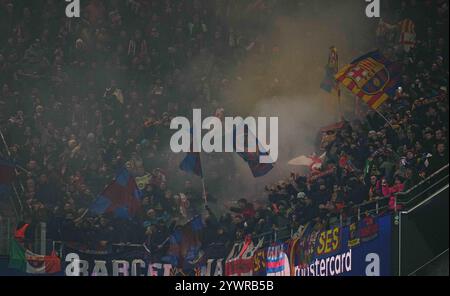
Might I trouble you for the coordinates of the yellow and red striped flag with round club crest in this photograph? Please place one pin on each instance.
(371, 77)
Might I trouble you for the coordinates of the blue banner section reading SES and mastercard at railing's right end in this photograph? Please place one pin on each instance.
(361, 249)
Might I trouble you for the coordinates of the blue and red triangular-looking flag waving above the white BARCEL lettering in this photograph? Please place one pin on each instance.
(122, 197)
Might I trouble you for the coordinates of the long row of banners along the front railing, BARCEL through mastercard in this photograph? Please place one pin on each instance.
(359, 249)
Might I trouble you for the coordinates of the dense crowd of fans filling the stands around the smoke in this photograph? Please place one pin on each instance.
(81, 98)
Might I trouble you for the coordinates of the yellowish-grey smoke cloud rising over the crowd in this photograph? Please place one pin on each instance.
(280, 76)
